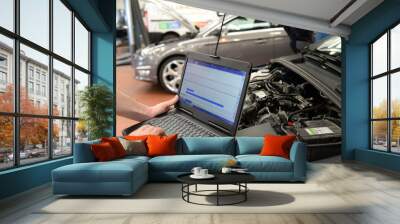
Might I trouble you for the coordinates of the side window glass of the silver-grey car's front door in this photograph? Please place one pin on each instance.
(245, 24)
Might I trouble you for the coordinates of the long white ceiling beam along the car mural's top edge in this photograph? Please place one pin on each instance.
(270, 15)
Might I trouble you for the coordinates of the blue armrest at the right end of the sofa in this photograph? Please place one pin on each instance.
(298, 157)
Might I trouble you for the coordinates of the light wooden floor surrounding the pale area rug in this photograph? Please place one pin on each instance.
(377, 189)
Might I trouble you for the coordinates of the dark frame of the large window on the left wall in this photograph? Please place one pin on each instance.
(16, 113)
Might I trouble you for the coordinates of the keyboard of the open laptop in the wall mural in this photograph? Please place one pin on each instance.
(178, 124)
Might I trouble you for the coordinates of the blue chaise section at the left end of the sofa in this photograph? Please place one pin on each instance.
(118, 177)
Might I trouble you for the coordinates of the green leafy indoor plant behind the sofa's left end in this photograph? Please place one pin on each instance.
(96, 102)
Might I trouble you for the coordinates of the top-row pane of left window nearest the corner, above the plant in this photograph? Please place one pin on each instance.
(81, 45)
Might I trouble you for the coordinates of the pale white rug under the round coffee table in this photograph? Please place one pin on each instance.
(166, 198)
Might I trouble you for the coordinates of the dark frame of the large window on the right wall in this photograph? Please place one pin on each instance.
(388, 74)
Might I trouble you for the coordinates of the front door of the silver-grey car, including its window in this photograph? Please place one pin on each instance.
(247, 39)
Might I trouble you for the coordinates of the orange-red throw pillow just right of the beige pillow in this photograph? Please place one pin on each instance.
(161, 145)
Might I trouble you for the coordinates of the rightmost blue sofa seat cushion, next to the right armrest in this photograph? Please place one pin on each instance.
(257, 163)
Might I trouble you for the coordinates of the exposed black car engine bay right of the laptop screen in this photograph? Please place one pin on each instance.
(291, 105)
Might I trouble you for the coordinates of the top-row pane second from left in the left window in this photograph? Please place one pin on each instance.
(35, 21)
